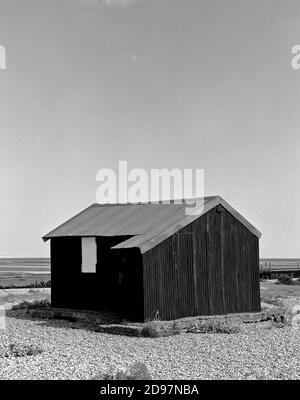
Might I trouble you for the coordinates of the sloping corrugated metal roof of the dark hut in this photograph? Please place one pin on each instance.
(148, 223)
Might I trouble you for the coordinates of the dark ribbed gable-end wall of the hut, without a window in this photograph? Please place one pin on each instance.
(209, 267)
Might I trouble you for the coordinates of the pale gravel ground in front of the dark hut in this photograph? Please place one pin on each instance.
(260, 351)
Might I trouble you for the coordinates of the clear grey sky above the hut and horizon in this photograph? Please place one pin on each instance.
(161, 84)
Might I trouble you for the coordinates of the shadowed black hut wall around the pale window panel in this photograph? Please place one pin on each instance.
(104, 290)
